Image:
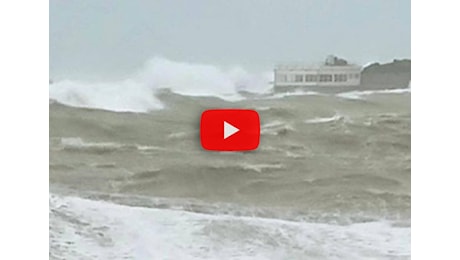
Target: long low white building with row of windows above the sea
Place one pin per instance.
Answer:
(334, 72)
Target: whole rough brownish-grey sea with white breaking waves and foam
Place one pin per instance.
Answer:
(129, 179)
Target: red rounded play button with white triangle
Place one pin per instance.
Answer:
(230, 130)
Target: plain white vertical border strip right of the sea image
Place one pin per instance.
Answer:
(435, 130)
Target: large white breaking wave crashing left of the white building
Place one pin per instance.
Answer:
(137, 94)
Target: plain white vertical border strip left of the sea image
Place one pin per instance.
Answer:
(24, 108)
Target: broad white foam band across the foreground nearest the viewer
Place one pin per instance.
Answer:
(86, 229)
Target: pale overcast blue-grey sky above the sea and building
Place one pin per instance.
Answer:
(113, 38)
